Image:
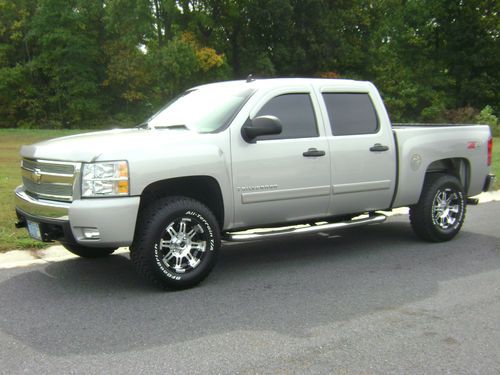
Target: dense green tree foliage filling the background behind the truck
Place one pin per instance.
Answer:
(84, 63)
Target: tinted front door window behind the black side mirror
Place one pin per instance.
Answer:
(296, 114)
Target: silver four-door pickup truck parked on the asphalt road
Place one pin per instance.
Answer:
(226, 158)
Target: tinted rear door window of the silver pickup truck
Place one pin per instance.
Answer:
(351, 113)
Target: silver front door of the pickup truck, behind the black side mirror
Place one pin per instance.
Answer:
(277, 179)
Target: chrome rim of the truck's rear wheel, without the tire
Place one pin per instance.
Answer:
(446, 209)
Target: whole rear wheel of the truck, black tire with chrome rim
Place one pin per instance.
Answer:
(440, 212)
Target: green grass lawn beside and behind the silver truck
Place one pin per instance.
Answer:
(10, 142)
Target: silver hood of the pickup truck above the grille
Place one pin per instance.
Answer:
(106, 145)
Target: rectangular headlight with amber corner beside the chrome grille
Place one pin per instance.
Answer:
(105, 179)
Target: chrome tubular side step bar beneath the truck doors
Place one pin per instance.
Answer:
(252, 236)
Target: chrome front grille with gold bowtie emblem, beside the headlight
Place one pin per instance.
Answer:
(51, 180)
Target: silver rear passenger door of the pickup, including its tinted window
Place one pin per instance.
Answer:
(362, 151)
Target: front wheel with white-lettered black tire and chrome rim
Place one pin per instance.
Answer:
(176, 244)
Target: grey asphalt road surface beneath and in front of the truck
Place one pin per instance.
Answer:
(368, 300)
